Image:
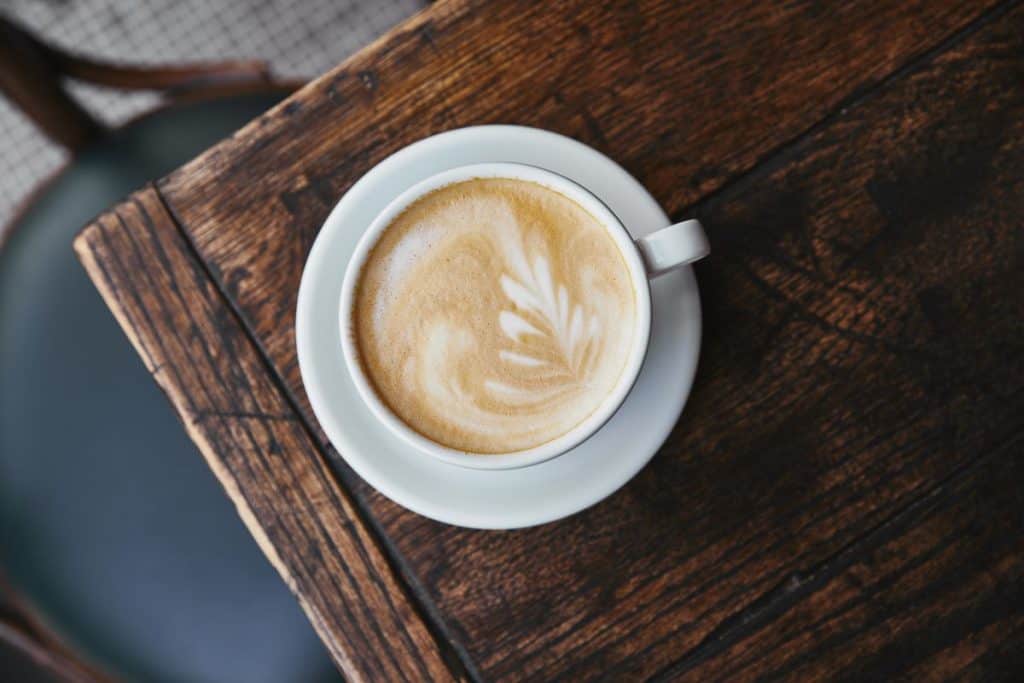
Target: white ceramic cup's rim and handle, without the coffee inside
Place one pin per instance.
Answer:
(648, 258)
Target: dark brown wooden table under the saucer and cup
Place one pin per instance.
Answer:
(842, 498)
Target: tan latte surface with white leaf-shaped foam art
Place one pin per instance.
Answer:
(494, 316)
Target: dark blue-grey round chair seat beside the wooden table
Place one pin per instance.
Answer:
(111, 524)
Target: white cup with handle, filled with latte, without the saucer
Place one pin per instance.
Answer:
(537, 295)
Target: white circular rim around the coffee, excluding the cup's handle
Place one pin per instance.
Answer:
(612, 403)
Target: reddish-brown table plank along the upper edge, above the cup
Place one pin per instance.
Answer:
(686, 96)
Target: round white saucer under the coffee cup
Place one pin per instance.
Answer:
(495, 499)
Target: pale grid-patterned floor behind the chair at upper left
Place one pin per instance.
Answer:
(298, 39)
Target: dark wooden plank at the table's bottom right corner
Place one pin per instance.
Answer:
(938, 596)
